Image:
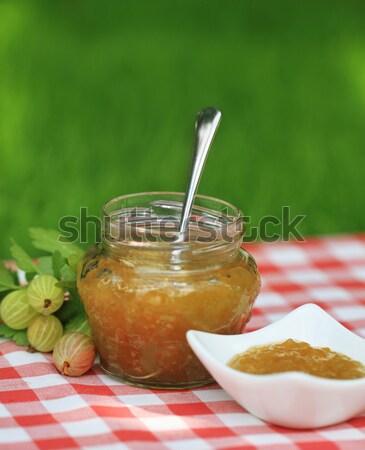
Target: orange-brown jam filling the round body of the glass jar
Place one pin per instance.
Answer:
(139, 313)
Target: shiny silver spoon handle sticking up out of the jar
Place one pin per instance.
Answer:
(206, 124)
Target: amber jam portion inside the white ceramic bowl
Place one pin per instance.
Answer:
(292, 355)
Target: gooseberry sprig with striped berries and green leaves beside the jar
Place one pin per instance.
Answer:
(38, 312)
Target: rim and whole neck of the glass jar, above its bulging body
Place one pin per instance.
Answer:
(143, 229)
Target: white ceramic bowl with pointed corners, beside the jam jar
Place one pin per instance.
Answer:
(289, 399)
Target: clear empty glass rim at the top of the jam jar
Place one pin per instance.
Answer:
(146, 211)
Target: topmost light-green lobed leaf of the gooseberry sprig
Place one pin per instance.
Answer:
(48, 240)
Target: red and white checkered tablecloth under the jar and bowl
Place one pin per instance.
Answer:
(41, 409)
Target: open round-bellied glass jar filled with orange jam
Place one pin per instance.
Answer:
(145, 286)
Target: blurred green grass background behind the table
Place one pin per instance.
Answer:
(98, 99)
